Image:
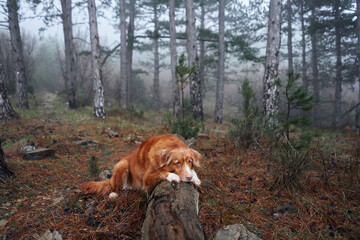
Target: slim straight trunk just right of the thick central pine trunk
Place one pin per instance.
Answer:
(221, 66)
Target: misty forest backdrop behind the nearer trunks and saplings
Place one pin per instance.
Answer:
(319, 40)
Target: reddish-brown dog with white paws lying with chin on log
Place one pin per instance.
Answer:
(159, 158)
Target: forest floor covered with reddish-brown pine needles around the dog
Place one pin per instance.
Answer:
(237, 185)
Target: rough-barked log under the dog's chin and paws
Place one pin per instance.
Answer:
(172, 213)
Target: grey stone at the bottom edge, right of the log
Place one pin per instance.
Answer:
(235, 232)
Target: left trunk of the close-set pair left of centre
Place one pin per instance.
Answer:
(123, 61)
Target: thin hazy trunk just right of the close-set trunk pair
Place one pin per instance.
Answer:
(156, 86)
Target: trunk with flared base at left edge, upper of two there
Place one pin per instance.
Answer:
(7, 113)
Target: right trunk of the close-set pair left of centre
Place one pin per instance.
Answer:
(130, 47)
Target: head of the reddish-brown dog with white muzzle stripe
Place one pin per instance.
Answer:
(179, 161)
